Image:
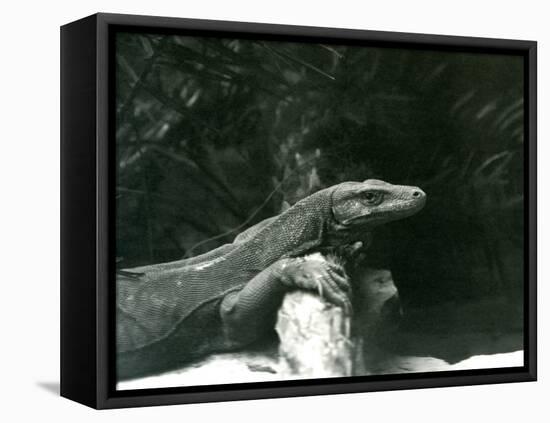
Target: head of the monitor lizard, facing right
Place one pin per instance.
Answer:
(357, 207)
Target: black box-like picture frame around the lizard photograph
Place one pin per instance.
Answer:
(87, 322)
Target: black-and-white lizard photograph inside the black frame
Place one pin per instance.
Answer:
(300, 209)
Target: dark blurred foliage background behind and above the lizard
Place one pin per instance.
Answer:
(214, 134)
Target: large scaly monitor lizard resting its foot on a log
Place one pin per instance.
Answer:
(171, 313)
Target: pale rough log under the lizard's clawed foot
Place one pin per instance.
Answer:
(317, 340)
